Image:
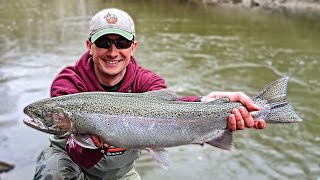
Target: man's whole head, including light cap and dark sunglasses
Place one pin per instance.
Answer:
(109, 29)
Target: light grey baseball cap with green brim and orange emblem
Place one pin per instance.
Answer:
(111, 21)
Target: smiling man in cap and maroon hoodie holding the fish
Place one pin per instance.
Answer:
(109, 66)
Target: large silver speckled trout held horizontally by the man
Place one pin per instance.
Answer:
(151, 120)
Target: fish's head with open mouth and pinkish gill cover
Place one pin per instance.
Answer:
(48, 117)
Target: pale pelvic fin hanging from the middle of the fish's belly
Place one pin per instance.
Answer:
(160, 156)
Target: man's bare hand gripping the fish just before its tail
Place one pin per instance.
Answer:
(240, 117)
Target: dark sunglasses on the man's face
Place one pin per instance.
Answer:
(106, 43)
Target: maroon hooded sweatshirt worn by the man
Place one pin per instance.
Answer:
(81, 78)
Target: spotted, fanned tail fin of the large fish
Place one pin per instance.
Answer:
(273, 98)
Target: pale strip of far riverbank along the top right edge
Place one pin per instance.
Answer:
(302, 7)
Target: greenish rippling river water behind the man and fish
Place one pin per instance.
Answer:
(197, 49)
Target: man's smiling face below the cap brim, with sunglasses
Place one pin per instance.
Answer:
(110, 62)
